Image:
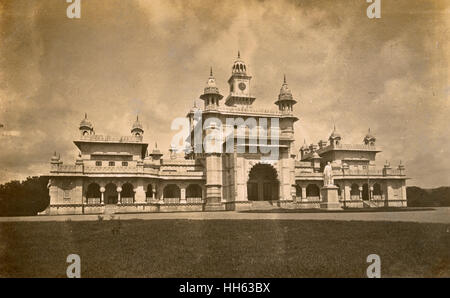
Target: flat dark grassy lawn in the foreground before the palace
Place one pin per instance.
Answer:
(224, 248)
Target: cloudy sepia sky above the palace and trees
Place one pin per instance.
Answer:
(153, 57)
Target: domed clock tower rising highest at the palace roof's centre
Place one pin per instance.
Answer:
(239, 85)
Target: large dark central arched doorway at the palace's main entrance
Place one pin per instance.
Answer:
(262, 183)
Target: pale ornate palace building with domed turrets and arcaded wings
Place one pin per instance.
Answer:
(121, 174)
